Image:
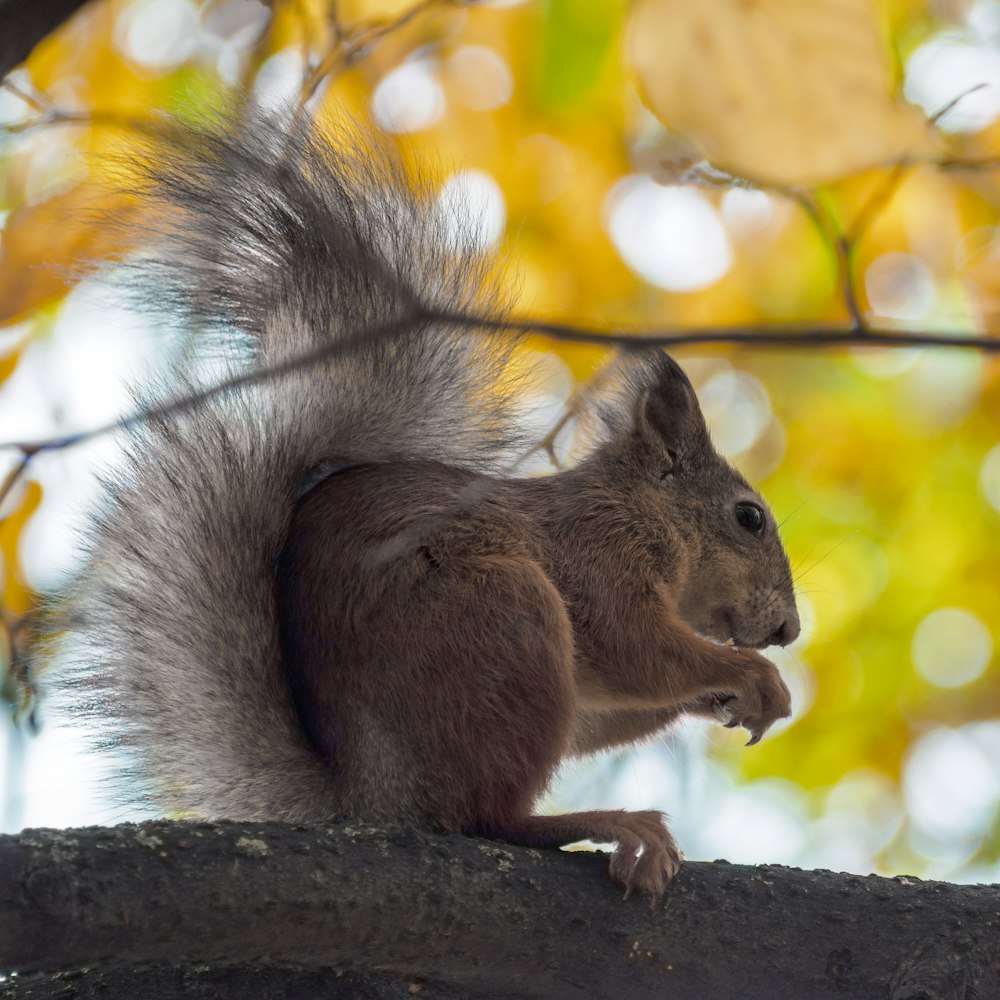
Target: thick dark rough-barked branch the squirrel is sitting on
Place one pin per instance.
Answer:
(233, 909)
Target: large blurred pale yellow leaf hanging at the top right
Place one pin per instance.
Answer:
(778, 91)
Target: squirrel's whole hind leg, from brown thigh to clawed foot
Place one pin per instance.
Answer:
(482, 661)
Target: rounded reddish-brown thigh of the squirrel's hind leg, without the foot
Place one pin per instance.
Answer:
(447, 698)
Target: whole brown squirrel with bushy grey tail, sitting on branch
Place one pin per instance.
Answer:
(319, 596)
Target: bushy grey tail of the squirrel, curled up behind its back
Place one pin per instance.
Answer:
(274, 242)
